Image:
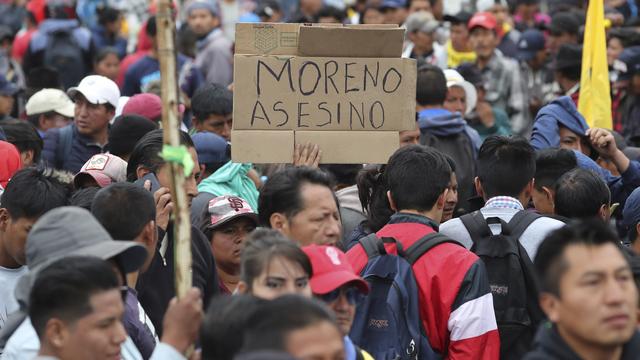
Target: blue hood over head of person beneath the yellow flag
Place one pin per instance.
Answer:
(560, 112)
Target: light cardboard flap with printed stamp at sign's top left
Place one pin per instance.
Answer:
(266, 39)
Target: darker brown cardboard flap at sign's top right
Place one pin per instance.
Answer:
(381, 42)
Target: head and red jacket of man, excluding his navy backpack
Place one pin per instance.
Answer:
(450, 279)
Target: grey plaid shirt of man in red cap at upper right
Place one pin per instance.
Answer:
(504, 89)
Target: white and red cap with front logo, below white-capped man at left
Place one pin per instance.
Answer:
(104, 169)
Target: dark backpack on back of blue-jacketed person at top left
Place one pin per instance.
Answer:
(64, 53)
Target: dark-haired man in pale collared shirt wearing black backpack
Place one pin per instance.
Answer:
(502, 233)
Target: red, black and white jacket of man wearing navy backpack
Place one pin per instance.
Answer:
(456, 306)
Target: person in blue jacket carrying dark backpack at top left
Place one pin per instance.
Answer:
(62, 44)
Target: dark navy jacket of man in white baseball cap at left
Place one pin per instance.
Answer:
(81, 149)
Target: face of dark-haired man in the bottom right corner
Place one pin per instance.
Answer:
(597, 301)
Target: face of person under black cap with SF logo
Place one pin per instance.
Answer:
(227, 242)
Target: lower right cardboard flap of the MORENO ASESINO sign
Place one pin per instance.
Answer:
(352, 147)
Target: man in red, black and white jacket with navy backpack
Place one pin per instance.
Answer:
(454, 301)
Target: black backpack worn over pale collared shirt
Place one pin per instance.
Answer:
(511, 278)
